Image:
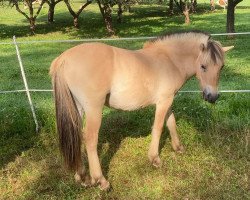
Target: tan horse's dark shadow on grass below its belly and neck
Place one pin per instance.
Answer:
(118, 125)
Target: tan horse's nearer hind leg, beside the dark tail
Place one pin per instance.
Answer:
(93, 114)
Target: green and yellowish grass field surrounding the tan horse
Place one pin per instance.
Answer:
(216, 163)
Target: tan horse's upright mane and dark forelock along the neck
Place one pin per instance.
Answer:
(213, 48)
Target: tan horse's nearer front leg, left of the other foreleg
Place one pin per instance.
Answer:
(161, 110)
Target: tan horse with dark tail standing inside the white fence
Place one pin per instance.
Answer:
(89, 76)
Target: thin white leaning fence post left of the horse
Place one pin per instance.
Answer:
(25, 83)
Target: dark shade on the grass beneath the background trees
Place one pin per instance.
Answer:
(147, 19)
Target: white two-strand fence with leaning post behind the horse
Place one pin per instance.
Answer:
(27, 90)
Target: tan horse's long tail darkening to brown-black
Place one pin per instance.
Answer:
(68, 119)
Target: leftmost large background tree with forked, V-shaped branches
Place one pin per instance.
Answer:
(31, 17)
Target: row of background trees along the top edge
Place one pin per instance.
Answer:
(106, 9)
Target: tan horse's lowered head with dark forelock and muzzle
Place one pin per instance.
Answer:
(209, 65)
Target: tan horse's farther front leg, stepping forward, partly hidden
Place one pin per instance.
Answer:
(175, 141)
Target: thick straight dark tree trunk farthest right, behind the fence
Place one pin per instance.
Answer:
(230, 15)
